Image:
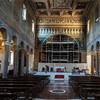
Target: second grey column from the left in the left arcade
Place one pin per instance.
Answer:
(16, 60)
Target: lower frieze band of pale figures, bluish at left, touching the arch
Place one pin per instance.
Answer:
(43, 33)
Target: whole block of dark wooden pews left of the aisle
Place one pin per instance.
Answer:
(26, 87)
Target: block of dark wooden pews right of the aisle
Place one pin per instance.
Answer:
(86, 86)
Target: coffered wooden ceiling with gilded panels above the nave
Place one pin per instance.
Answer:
(61, 7)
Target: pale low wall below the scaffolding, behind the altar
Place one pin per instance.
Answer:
(61, 67)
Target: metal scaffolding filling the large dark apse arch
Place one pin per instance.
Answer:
(60, 49)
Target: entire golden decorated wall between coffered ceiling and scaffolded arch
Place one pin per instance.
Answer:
(73, 27)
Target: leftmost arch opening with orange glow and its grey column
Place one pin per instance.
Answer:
(4, 42)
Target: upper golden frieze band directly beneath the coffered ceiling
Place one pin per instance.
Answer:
(61, 20)
